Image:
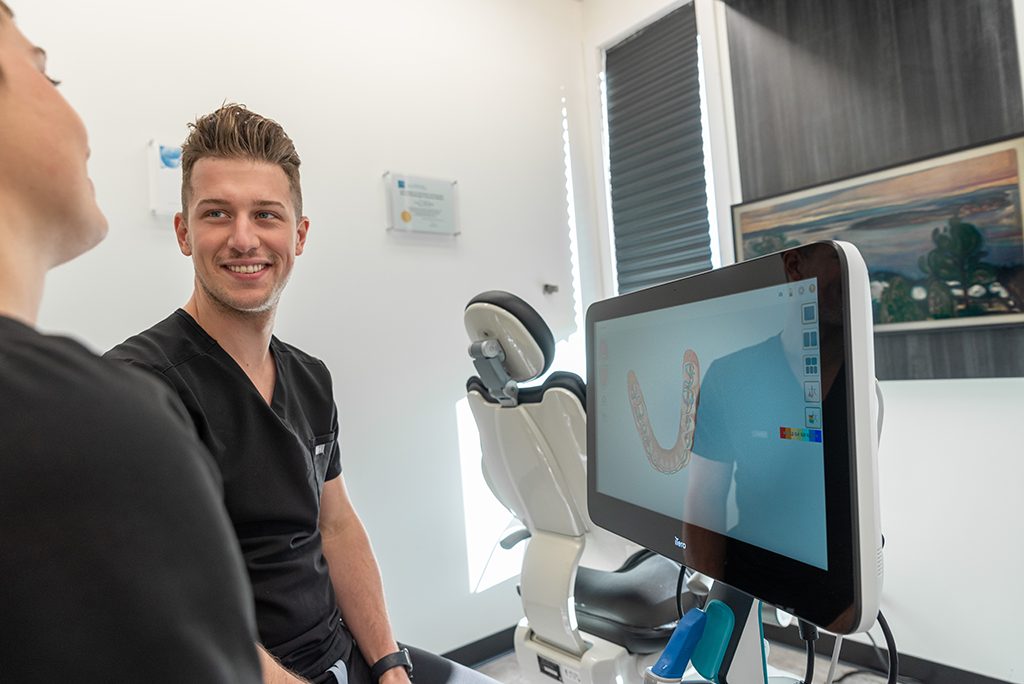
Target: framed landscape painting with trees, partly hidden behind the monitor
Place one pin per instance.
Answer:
(943, 237)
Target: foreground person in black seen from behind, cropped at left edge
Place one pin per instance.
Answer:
(117, 558)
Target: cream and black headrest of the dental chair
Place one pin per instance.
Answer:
(529, 345)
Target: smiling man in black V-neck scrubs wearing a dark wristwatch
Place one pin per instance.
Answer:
(268, 414)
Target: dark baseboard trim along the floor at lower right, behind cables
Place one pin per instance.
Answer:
(863, 656)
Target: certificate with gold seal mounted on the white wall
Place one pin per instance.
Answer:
(421, 205)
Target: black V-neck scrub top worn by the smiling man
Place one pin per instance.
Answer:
(274, 461)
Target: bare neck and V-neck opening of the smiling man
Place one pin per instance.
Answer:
(246, 338)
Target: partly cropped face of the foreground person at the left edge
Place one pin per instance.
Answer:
(44, 152)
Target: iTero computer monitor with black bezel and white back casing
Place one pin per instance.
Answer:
(732, 429)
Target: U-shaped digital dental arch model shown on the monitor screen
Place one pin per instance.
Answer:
(672, 460)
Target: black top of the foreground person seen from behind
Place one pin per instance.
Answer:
(117, 561)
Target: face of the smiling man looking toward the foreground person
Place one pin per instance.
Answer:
(242, 233)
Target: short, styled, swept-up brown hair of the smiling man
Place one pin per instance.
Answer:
(235, 133)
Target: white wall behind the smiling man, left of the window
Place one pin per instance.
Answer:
(457, 90)
